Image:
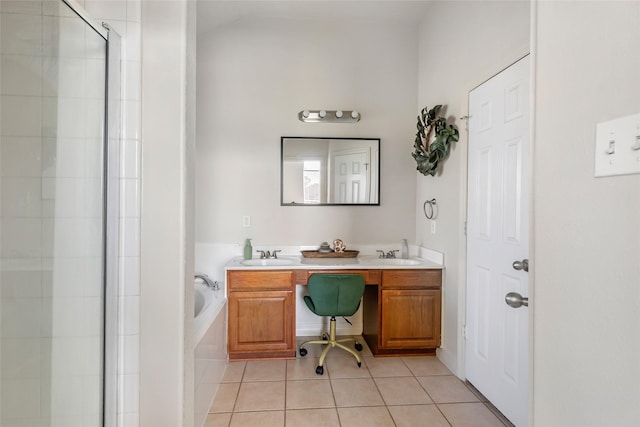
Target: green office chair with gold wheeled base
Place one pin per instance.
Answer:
(334, 295)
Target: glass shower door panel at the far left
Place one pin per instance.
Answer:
(52, 236)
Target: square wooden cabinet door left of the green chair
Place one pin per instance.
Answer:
(261, 321)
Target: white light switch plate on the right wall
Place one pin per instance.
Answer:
(618, 146)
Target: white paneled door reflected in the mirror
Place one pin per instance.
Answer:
(350, 177)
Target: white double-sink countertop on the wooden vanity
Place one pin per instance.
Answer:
(297, 262)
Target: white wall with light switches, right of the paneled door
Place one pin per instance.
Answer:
(587, 235)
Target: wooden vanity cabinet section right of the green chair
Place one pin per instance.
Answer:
(409, 312)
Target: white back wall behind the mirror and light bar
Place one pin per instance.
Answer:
(254, 76)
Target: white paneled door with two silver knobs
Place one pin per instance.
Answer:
(496, 355)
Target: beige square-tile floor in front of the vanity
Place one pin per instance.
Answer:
(390, 391)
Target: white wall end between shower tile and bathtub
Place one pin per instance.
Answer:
(166, 264)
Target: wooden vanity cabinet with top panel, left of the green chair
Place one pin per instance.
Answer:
(261, 314)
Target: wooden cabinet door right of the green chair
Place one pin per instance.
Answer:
(410, 318)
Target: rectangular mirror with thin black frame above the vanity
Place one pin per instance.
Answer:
(329, 171)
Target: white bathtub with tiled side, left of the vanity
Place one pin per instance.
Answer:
(210, 350)
